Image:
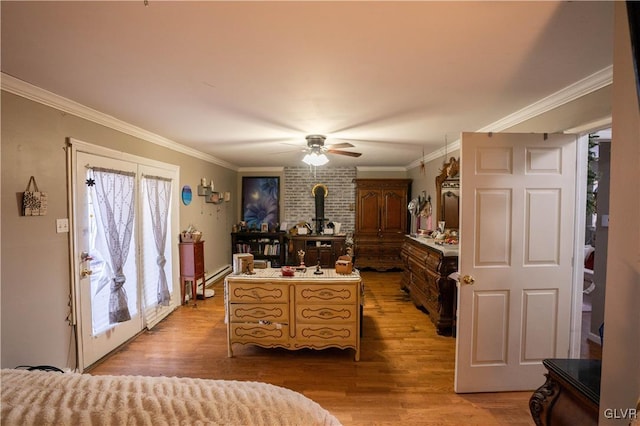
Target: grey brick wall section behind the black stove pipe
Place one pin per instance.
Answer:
(339, 205)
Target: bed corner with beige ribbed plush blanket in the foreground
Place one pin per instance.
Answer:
(52, 398)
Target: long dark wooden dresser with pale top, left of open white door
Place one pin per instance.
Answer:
(426, 277)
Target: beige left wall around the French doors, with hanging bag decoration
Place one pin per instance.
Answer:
(35, 278)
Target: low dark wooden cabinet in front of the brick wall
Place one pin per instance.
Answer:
(318, 248)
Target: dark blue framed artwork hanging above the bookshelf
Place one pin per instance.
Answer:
(260, 201)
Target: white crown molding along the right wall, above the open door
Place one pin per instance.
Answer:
(583, 87)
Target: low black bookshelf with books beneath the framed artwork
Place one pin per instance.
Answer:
(270, 246)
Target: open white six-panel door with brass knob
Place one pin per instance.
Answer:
(516, 247)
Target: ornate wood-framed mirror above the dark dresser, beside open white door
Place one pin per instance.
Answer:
(448, 194)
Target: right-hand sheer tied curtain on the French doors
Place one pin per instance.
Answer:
(159, 196)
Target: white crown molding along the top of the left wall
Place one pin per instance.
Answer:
(26, 90)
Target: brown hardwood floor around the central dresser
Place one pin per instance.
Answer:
(404, 376)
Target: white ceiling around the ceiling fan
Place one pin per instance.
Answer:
(245, 82)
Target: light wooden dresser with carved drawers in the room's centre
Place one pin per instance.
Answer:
(303, 311)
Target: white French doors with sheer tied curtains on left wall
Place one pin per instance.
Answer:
(122, 234)
